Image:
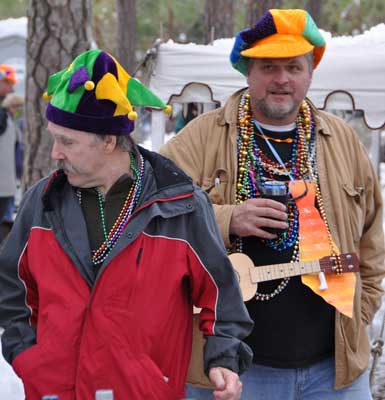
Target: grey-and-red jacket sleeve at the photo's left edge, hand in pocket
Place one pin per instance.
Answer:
(18, 294)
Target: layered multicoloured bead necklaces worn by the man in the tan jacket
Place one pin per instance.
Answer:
(254, 168)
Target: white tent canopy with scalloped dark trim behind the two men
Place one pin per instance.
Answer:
(351, 75)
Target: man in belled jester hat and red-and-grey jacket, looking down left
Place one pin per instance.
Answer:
(109, 254)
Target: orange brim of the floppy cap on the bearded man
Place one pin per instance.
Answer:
(281, 45)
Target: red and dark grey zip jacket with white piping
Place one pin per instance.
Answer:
(130, 327)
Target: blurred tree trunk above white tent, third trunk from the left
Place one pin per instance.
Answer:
(219, 19)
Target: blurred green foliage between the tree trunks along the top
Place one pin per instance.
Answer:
(183, 21)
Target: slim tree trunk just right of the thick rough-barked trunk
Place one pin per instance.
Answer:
(126, 27)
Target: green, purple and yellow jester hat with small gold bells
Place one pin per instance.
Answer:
(95, 94)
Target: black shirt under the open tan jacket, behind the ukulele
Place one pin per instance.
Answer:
(296, 328)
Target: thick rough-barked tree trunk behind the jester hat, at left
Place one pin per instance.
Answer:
(58, 31)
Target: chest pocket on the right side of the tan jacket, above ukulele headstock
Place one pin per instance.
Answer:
(355, 196)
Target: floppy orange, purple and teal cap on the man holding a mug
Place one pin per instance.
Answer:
(278, 34)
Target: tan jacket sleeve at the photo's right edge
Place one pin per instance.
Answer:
(372, 251)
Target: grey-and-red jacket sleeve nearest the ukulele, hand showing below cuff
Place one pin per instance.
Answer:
(224, 320)
